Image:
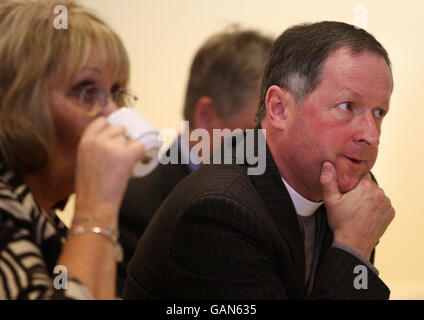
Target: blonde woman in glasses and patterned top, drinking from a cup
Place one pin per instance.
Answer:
(57, 86)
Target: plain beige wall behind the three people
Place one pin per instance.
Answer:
(162, 36)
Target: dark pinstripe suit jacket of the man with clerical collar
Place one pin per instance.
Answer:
(222, 234)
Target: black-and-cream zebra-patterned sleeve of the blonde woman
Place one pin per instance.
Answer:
(23, 271)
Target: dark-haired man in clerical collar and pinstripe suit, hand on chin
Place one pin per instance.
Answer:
(307, 227)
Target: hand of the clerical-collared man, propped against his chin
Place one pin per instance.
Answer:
(358, 218)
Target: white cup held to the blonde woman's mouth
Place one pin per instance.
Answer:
(138, 129)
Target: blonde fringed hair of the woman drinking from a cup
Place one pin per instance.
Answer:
(33, 54)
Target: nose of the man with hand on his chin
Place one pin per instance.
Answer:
(367, 130)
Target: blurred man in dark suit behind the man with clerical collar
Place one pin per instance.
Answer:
(222, 92)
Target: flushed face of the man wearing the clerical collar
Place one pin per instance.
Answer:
(340, 121)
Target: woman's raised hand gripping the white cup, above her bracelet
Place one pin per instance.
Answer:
(105, 159)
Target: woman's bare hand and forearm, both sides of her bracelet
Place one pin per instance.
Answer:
(105, 158)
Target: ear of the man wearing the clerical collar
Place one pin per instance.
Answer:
(276, 101)
